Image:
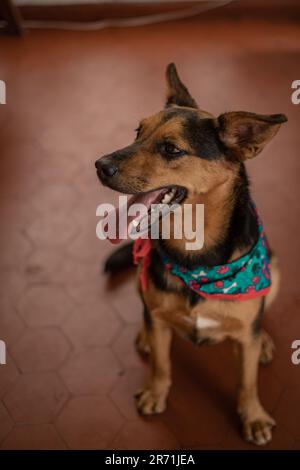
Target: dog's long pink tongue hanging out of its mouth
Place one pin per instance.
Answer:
(121, 214)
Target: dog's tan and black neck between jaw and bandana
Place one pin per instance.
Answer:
(230, 226)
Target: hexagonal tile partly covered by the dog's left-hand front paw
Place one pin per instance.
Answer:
(125, 388)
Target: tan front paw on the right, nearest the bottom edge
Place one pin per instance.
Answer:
(259, 430)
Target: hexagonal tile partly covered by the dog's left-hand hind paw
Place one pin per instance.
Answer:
(124, 347)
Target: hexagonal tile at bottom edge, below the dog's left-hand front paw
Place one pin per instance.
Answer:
(145, 434)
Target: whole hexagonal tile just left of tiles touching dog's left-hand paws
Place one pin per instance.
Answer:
(91, 372)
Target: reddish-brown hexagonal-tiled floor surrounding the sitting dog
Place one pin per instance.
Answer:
(72, 369)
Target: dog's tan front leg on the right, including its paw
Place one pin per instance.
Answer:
(257, 423)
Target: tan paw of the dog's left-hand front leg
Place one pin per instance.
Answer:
(149, 402)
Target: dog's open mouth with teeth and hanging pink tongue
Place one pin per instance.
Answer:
(157, 204)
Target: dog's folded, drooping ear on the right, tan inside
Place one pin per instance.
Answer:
(244, 135)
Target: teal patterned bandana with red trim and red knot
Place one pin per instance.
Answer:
(244, 278)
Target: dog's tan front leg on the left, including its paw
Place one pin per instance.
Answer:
(152, 398)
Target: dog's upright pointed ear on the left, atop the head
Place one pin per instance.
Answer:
(177, 93)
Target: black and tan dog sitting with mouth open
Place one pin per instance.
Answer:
(195, 157)
